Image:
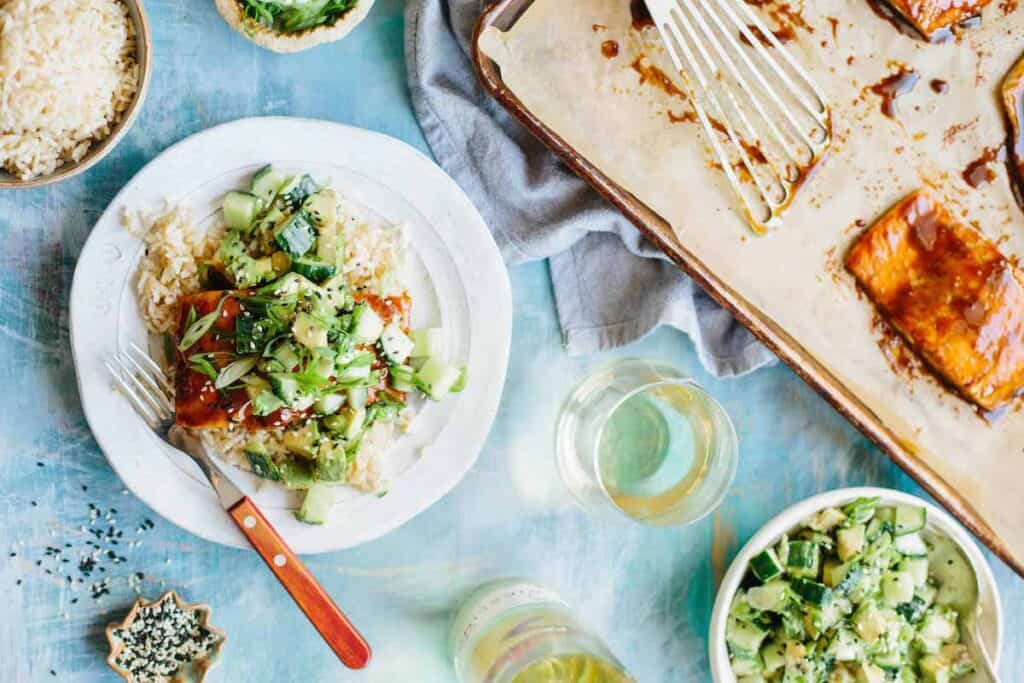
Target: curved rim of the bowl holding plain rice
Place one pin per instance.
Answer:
(99, 152)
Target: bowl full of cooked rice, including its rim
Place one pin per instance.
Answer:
(73, 77)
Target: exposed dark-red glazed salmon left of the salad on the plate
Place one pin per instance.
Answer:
(198, 404)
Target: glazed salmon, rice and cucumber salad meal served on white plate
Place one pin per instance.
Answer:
(288, 332)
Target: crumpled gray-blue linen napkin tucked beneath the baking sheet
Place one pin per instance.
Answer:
(612, 286)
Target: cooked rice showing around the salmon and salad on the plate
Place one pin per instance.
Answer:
(170, 269)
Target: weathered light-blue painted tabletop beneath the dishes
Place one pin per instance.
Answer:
(650, 592)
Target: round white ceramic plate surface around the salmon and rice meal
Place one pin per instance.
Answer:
(456, 277)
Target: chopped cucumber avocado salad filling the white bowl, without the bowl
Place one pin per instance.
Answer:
(854, 596)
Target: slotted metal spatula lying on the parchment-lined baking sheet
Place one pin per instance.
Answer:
(766, 120)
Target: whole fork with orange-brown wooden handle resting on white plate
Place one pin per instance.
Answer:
(148, 390)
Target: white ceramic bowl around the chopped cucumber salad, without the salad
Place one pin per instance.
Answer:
(938, 521)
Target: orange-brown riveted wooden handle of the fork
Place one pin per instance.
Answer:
(347, 643)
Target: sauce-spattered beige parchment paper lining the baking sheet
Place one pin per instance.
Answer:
(794, 277)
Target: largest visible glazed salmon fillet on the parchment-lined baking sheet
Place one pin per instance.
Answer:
(950, 292)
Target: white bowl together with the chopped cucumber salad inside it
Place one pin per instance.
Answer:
(857, 586)
